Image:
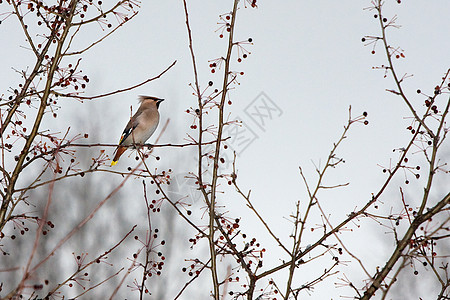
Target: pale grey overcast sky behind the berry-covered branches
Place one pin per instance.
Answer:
(308, 65)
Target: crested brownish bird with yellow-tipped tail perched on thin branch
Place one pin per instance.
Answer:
(140, 127)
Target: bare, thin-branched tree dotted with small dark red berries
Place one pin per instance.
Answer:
(236, 263)
